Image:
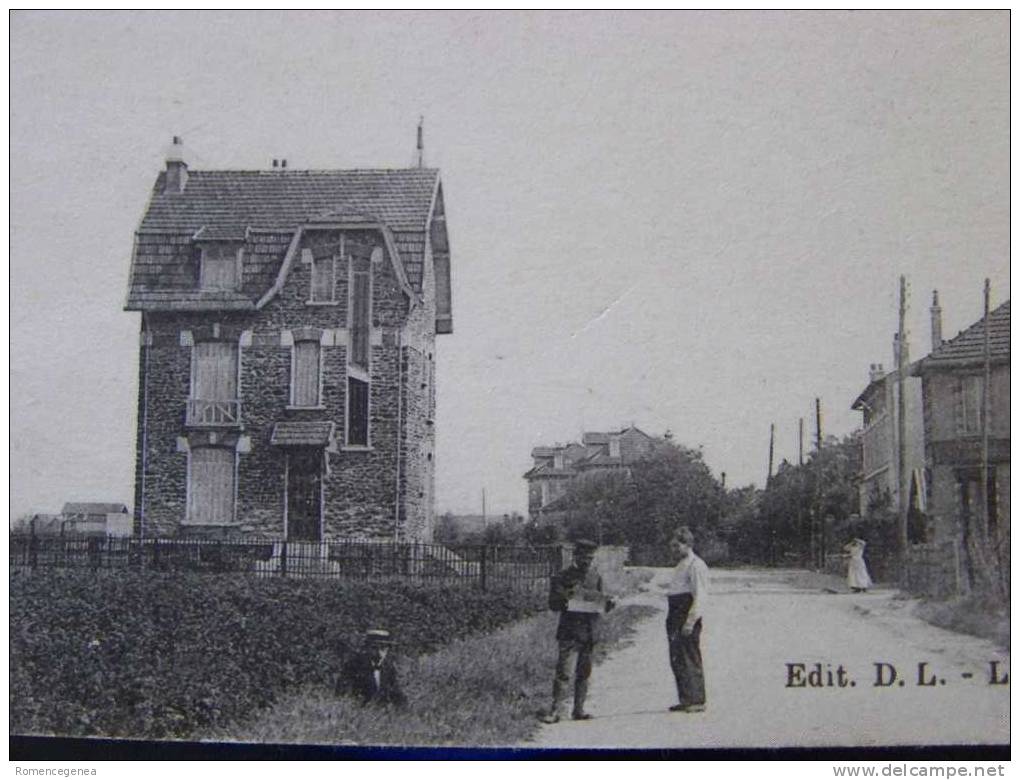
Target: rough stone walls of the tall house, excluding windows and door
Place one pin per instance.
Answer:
(361, 487)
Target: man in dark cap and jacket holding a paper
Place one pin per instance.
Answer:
(578, 595)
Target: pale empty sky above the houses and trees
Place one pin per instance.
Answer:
(693, 222)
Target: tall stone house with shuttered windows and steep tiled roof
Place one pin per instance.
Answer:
(287, 384)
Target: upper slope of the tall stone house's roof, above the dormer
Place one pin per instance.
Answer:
(233, 200)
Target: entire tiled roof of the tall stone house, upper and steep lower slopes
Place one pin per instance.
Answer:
(263, 210)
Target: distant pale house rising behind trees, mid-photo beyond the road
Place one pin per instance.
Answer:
(557, 466)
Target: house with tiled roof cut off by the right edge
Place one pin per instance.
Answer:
(953, 382)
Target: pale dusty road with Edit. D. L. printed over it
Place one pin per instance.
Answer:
(757, 623)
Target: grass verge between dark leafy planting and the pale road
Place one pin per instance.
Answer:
(483, 691)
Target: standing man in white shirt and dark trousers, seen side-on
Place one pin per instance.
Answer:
(687, 593)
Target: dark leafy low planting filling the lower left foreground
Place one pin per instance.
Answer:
(144, 655)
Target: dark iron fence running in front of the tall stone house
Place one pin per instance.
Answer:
(484, 567)
